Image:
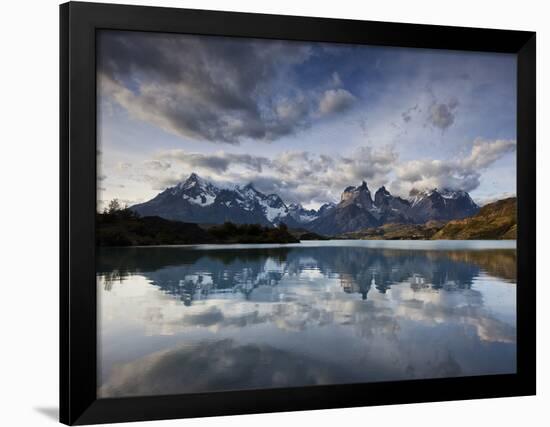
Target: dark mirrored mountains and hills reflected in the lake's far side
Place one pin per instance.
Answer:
(194, 274)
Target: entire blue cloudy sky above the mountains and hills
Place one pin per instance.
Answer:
(304, 120)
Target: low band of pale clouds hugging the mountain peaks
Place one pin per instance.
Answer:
(312, 179)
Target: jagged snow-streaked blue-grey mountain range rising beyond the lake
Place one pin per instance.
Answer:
(200, 201)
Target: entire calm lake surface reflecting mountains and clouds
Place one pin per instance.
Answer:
(223, 317)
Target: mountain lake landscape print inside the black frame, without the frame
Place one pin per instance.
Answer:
(284, 214)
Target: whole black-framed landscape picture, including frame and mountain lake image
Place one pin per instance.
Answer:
(268, 213)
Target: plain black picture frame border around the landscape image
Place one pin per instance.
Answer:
(78, 25)
